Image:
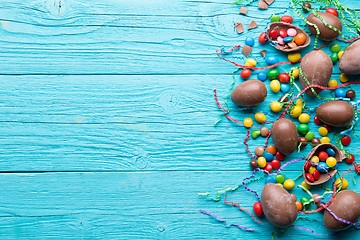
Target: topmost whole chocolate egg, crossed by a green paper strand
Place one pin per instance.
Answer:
(326, 33)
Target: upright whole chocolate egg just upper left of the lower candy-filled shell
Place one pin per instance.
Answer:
(284, 135)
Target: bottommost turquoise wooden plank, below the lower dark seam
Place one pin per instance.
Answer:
(129, 205)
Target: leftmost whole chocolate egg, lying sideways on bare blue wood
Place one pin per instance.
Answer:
(249, 93)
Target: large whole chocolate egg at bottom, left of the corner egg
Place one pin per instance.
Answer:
(278, 205)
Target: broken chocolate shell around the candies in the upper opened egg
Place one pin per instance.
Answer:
(281, 25)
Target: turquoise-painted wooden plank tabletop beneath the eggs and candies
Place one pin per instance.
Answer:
(107, 120)
